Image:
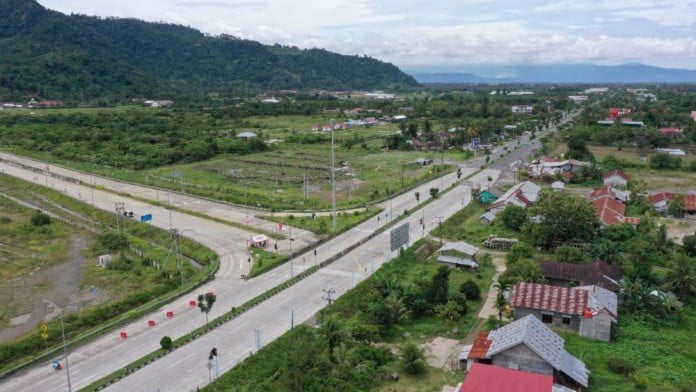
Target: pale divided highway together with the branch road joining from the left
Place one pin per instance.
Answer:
(186, 369)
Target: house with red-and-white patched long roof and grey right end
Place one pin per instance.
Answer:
(589, 310)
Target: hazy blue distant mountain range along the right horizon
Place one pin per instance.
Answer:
(550, 73)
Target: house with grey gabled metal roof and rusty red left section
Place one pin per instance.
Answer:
(530, 346)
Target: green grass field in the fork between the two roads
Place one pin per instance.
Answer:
(280, 179)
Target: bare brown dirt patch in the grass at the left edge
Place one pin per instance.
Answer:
(58, 283)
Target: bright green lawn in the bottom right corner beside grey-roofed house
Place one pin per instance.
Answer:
(663, 353)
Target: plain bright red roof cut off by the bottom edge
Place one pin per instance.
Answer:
(487, 378)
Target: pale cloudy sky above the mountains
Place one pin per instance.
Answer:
(442, 32)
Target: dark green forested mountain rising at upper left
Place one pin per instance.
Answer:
(54, 56)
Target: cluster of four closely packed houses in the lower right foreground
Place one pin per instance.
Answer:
(527, 355)
